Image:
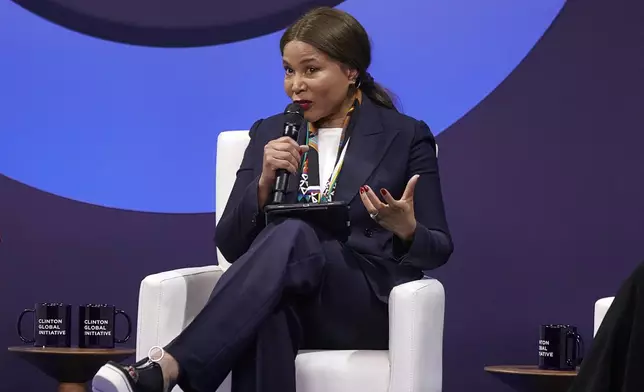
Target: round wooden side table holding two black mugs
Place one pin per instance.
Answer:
(72, 367)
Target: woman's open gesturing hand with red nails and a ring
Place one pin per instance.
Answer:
(394, 215)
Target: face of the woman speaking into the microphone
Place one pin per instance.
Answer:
(319, 84)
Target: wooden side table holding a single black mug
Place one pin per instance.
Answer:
(527, 378)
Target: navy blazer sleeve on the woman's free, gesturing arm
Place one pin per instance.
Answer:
(431, 245)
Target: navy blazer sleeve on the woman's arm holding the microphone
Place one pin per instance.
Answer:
(240, 222)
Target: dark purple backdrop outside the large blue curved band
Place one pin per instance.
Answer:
(542, 181)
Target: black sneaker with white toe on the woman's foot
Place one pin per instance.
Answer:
(143, 376)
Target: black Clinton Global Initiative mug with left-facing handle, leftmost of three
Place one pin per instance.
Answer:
(52, 325)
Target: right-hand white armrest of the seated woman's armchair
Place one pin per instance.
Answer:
(416, 317)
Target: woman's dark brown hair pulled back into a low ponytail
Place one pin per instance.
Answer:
(341, 37)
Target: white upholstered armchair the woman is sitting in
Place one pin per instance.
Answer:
(169, 301)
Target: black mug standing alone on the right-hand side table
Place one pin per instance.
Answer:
(560, 347)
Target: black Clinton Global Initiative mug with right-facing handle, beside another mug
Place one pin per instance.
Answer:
(96, 326)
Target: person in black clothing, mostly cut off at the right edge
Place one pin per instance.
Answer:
(615, 362)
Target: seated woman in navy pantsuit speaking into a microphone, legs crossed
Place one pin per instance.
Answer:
(291, 285)
